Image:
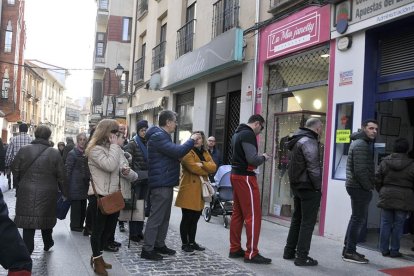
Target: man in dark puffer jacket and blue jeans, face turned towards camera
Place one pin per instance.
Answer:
(360, 179)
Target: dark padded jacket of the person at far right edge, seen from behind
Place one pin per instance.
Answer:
(394, 180)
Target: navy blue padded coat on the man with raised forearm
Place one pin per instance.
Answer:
(164, 158)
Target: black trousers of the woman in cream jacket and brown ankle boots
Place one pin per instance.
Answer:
(102, 228)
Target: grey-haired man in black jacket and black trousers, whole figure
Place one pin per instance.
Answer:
(305, 174)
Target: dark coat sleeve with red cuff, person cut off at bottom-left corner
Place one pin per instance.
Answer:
(13, 252)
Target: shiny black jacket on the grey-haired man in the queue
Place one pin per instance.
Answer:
(304, 170)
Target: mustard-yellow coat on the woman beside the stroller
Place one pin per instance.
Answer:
(189, 193)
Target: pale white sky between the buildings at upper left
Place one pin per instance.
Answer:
(62, 33)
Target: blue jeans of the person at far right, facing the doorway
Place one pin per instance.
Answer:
(392, 225)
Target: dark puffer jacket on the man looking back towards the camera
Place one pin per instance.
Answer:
(360, 168)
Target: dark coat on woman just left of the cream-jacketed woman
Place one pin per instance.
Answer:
(77, 173)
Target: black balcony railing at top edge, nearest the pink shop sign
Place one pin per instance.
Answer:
(225, 16)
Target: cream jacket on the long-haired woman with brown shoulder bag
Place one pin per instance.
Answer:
(103, 164)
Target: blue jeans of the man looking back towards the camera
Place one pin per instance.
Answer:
(360, 200)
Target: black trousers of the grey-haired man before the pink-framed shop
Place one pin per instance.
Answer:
(303, 222)
